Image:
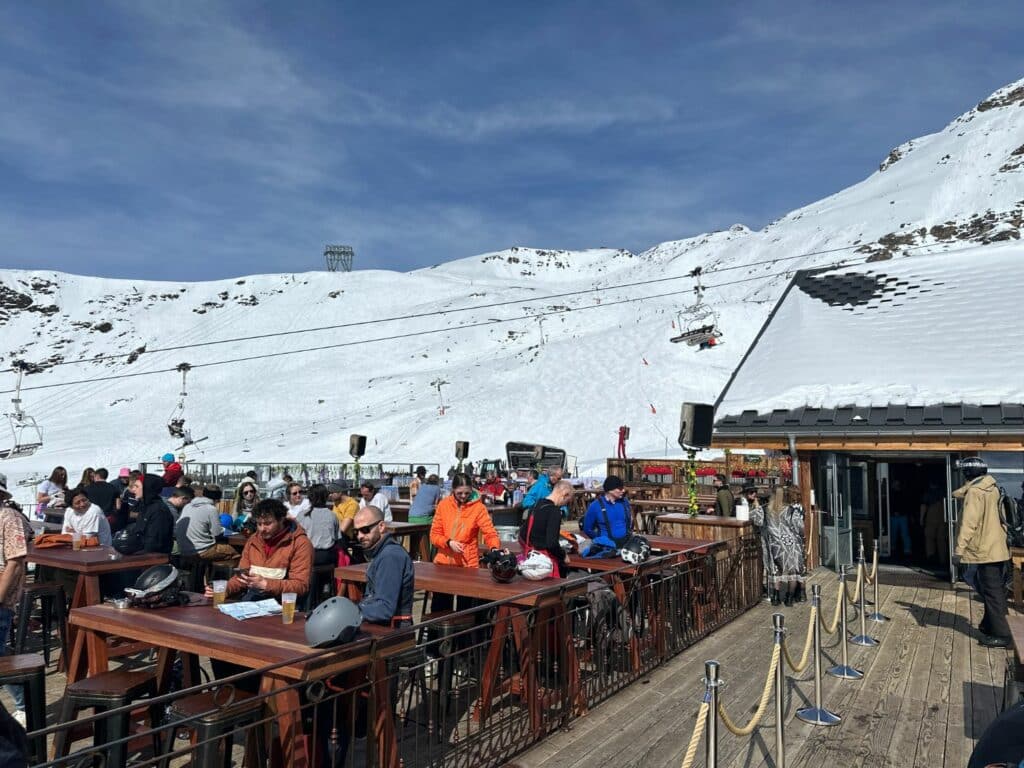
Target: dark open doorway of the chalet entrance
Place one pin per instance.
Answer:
(913, 517)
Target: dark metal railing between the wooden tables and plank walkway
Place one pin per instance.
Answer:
(471, 688)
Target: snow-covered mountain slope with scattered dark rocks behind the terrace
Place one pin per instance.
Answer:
(569, 379)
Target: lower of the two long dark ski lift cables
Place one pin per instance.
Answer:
(414, 334)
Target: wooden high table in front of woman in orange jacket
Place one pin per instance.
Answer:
(519, 598)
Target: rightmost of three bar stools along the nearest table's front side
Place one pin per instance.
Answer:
(214, 719)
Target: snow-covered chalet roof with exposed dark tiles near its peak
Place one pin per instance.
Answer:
(910, 332)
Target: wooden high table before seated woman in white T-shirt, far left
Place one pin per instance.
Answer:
(91, 564)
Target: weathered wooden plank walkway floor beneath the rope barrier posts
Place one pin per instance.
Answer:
(928, 694)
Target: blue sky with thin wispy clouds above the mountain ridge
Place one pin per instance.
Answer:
(193, 141)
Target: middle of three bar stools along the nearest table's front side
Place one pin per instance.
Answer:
(106, 692)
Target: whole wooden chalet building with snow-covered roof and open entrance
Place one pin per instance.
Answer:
(876, 379)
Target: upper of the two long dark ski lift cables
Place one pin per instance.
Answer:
(441, 313)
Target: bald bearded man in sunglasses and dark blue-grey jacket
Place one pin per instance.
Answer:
(388, 599)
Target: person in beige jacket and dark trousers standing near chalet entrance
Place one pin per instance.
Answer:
(982, 544)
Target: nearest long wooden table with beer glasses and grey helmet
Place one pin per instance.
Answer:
(201, 631)
